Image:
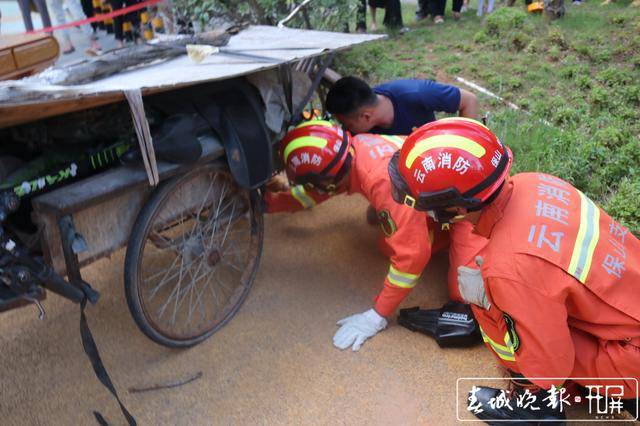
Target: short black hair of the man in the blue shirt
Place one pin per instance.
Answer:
(348, 95)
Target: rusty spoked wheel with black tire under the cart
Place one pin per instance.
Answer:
(192, 256)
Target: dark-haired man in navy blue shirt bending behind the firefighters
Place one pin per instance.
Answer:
(396, 107)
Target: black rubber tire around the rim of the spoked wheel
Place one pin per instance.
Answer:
(134, 247)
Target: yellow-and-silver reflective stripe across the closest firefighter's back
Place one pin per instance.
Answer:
(588, 236)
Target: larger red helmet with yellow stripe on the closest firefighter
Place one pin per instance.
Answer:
(446, 163)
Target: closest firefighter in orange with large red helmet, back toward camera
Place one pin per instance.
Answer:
(558, 292)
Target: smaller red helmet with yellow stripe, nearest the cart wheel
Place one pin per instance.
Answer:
(316, 152)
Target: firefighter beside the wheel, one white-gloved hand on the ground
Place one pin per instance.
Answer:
(323, 160)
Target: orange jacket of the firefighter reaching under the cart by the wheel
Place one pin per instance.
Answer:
(406, 230)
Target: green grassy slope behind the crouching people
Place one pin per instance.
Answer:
(581, 74)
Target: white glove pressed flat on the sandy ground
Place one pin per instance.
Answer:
(357, 328)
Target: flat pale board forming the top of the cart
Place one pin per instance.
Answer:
(33, 100)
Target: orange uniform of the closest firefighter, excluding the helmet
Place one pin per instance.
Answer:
(563, 279)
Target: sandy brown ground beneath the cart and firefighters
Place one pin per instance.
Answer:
(274, 363)
